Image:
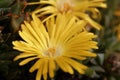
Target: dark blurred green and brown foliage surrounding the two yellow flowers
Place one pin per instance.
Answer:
(106, 66)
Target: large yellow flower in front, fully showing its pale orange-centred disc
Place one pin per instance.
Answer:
(55, 44)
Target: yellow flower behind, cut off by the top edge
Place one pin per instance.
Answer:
(78, 8)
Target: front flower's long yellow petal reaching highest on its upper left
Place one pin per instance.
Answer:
(40, 31)
